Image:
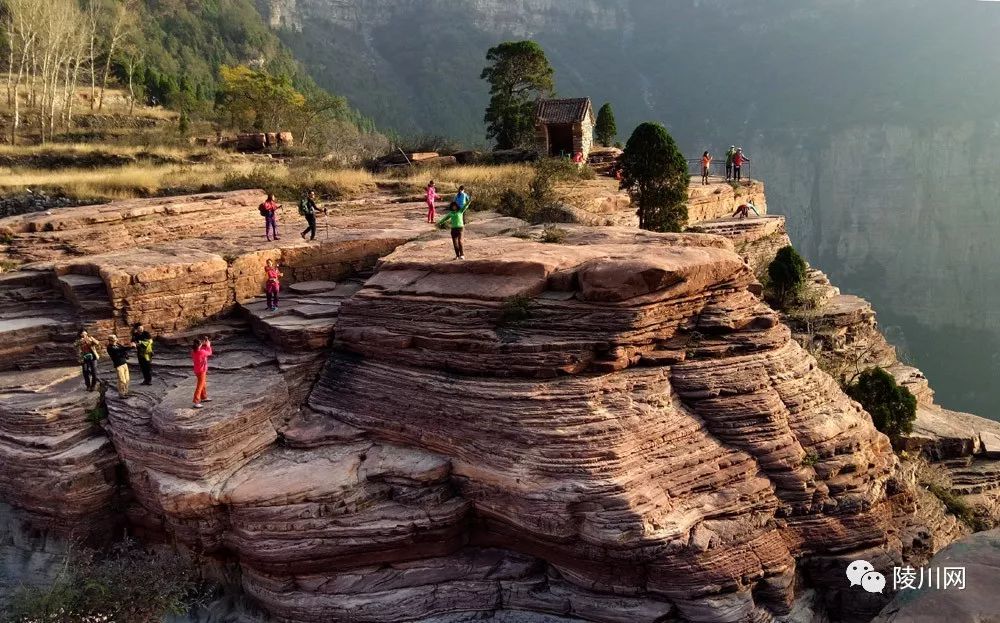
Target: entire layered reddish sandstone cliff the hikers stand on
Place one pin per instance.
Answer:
(609, 428)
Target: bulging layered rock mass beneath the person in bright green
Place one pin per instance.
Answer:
(629, 414)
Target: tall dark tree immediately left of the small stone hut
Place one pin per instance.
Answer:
(519, 73)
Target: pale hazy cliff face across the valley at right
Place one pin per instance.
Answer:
(907, 218)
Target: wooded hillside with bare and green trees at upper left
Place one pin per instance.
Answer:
(62, 55)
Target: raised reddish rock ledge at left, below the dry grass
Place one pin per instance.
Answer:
(172, 263)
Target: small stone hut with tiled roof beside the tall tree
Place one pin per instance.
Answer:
(564, 127)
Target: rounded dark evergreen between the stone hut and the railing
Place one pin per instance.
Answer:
(655, 174)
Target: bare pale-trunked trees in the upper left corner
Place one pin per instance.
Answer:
(54, 46)
